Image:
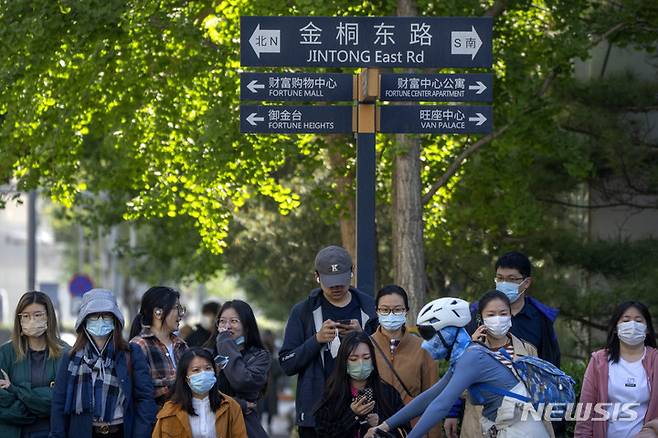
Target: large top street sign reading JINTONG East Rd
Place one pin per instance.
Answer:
(366, 41)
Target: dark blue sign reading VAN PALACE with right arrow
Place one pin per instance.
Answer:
(435, 119)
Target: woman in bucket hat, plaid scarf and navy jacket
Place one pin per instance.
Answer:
(102, 389)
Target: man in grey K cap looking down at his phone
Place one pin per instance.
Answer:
(313, 333)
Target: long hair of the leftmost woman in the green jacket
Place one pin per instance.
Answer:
(19, 341)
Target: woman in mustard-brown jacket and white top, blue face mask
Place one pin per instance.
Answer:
(197, 409)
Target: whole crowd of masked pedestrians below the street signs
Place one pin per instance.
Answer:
(361, 371)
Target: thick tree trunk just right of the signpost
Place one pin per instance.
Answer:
(407, 212)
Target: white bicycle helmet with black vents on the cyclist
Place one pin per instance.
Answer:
(441, 313)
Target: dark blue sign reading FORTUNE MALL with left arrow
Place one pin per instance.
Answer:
(296, 86)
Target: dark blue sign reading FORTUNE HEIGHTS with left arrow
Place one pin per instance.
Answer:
(295, 119)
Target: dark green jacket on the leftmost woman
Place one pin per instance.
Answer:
(20, 404)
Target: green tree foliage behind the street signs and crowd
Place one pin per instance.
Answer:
(127, 110)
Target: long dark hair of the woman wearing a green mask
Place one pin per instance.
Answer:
(338, 393)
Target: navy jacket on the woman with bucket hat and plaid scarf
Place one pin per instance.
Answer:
(139, 409)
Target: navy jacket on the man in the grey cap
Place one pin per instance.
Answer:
(301, 353)
